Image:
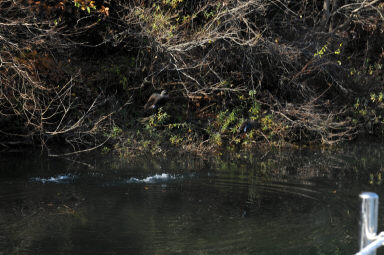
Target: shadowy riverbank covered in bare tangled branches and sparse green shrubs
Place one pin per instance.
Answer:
(303, 73)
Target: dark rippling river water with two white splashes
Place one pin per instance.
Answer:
(283, 202)
